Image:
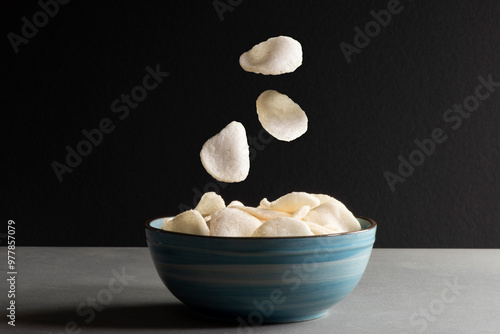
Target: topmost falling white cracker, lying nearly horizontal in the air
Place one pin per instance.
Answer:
(277, 55)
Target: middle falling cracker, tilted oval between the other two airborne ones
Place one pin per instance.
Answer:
(280, 116)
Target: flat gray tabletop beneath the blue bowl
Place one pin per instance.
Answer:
(402, 291)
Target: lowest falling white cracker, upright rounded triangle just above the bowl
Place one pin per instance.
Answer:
(226, 155)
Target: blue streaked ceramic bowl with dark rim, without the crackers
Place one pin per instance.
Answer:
(256, 280)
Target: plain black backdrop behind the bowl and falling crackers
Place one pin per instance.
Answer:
(362, 115)
